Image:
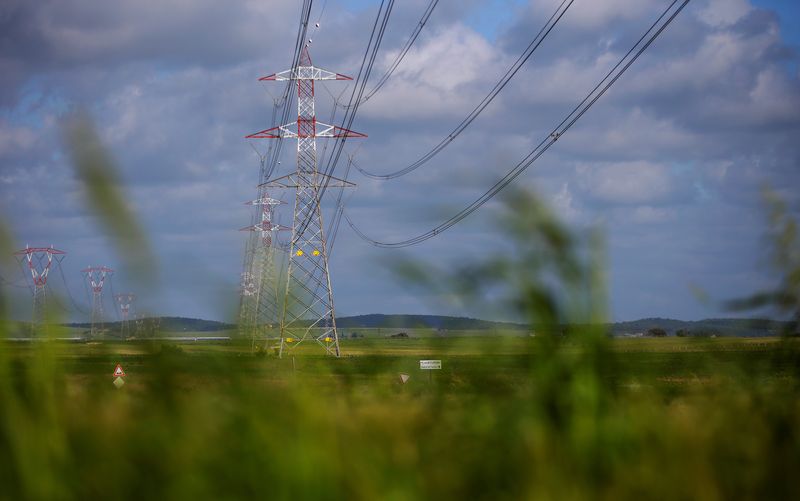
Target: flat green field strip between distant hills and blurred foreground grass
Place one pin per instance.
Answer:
(467, 362)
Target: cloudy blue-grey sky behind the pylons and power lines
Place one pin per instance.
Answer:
(670, 164)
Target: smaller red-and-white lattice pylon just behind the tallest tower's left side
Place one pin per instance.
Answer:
(260, 307)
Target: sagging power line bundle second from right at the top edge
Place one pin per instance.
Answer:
(498, 87)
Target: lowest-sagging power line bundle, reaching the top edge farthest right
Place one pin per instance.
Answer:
(545, 144)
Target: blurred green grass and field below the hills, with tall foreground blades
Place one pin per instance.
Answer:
(568, 414)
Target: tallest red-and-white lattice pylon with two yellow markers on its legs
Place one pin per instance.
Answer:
(308, 311)
